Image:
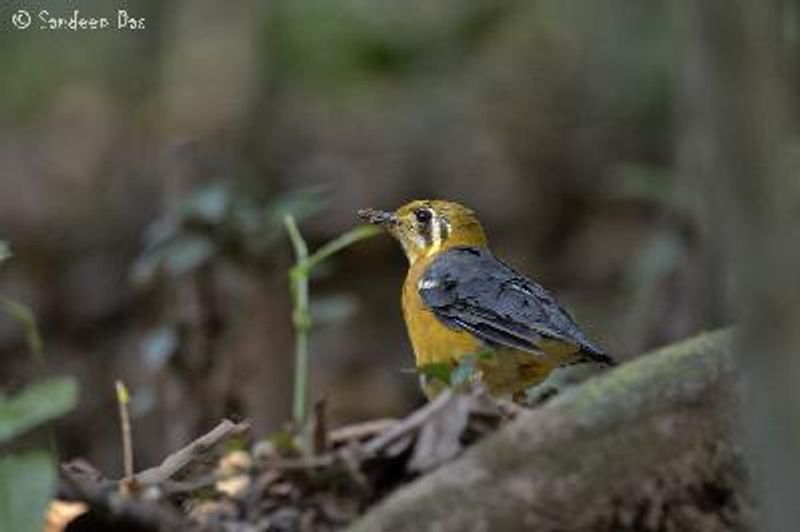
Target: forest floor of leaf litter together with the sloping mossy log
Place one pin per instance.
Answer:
(651, 445)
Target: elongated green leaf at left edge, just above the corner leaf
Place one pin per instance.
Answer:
(36, 404)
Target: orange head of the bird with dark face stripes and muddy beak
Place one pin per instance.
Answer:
(426, 227)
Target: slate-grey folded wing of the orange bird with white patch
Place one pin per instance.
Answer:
(468, 288)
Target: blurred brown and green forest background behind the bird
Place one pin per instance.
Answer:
(144, 176)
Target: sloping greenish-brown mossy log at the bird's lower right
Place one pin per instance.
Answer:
(650, 445)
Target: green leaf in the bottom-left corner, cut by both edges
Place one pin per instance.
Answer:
(27, 482)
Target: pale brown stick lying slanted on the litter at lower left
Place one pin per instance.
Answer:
(196, 450)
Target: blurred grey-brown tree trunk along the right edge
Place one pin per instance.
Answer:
(741, 146)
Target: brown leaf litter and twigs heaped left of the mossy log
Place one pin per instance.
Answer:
(225, 481)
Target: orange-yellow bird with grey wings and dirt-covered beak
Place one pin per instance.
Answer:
(460, 302)
